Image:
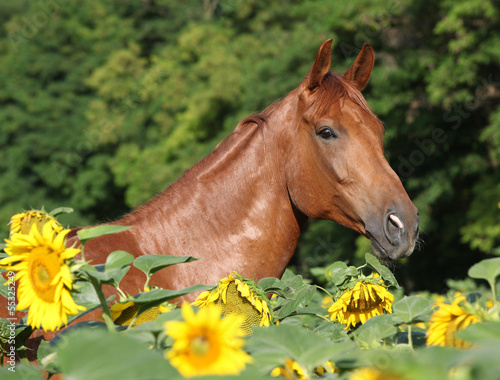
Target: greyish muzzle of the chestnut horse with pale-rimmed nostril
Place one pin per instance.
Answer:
(396, 236)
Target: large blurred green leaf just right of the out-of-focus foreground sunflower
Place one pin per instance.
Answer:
(272, 345)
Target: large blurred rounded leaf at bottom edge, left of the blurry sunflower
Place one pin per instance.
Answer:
(101, 355)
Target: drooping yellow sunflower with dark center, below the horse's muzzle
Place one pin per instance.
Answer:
(361, 303)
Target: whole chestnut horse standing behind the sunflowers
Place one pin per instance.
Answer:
(317, 153)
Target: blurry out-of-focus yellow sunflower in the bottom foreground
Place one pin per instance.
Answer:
(205, 344)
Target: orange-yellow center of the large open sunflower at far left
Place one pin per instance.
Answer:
(43, 267)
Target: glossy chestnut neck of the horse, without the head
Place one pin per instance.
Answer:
(236, 199)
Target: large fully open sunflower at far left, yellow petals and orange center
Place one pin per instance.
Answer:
(40, 263)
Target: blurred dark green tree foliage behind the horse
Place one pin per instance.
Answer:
(105, 103)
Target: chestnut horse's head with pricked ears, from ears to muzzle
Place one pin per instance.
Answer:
(335, 164)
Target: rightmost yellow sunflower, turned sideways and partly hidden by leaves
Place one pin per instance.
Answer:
(446, 321)
